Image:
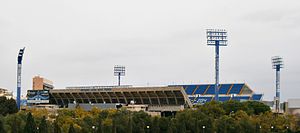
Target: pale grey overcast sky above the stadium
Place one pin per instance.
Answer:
(161, 42)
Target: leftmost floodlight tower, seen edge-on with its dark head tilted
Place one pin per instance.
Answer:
(19, 70)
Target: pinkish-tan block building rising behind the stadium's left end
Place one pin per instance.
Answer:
(40, 83)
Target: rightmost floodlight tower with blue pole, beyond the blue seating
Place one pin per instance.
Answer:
(277, 64)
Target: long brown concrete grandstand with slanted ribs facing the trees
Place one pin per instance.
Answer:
(155, 98)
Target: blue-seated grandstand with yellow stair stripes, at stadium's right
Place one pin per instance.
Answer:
(202, 93)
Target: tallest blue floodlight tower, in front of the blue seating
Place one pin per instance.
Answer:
(217, 38)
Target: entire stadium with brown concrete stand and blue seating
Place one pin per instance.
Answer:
(170, 98)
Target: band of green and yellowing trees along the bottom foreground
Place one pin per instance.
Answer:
(226, 117)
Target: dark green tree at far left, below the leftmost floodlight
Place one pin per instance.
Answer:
(7, 106)
